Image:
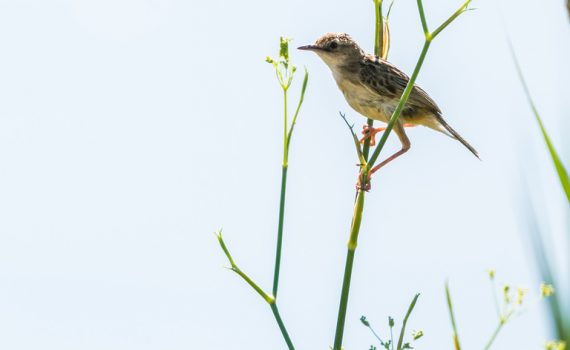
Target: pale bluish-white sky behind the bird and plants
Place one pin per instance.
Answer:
(131, 130)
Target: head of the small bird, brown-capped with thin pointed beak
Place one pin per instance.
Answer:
(336, 49)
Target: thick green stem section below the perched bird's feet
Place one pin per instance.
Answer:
(352, 243)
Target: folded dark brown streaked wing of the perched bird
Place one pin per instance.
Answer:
(387, 80)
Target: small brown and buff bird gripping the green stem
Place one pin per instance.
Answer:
(373, 86)
